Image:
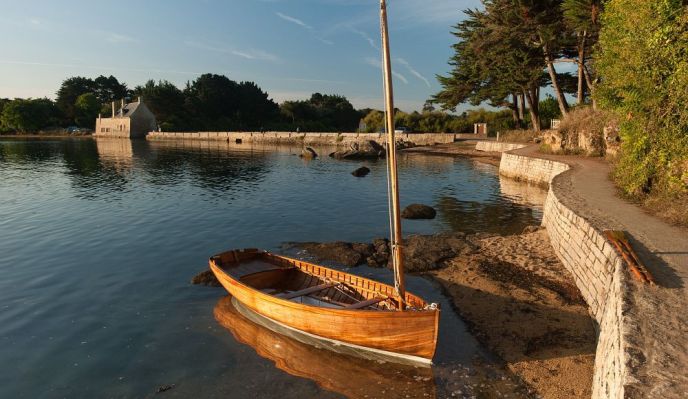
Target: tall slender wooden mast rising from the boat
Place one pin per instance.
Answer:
(397, 255)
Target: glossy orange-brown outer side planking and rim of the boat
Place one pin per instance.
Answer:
(411, 333)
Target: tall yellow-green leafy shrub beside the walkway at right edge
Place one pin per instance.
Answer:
(643, 67)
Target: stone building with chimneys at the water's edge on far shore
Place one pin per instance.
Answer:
(133, 120)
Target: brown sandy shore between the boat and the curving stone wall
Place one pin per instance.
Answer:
(522, 304)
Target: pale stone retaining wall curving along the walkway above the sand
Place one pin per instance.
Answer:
(598, 270)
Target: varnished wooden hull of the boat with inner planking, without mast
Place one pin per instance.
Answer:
(411, 333)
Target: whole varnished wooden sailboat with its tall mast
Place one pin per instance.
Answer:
(333, 305)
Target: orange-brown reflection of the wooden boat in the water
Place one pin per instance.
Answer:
(342, 373)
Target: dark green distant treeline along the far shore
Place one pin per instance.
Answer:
(217, 103)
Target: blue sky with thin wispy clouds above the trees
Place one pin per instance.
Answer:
(290, 48)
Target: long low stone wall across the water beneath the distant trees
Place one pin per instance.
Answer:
(311, 139)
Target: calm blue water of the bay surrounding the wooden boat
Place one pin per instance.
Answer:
(98, 241)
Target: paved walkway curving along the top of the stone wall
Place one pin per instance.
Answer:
(661, 310)
